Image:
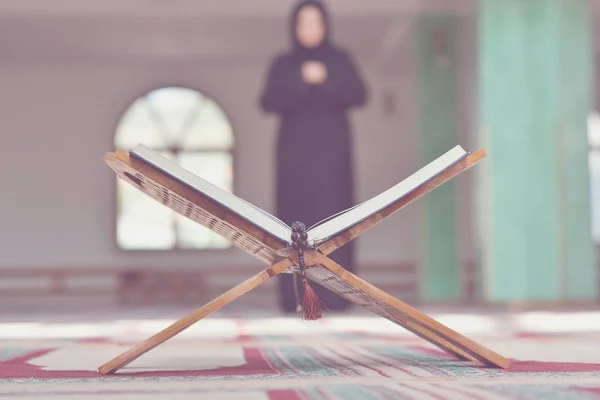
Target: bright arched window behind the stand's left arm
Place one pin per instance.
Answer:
(190, 129)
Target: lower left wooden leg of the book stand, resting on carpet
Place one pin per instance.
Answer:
(187, 321)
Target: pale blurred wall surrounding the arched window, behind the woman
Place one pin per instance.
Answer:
(57, 209)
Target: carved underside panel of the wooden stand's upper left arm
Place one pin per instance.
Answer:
(190, 210)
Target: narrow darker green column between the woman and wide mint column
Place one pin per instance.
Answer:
(436, 44)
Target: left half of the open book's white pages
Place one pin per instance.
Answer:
(240, 207)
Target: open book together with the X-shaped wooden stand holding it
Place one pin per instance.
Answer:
(287, 249)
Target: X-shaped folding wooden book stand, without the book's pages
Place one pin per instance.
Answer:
(322, 269)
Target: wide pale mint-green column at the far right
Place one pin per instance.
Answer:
(535, 63)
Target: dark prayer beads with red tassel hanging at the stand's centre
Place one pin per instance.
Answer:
(311, 304)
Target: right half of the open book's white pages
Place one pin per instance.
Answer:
(345, 220)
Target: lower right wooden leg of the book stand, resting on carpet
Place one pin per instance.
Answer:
(407, 316)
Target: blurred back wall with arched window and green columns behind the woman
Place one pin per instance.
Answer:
(79, 78)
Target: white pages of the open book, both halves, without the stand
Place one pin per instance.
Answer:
(318, 233)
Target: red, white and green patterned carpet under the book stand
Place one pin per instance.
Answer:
(555, 356)
